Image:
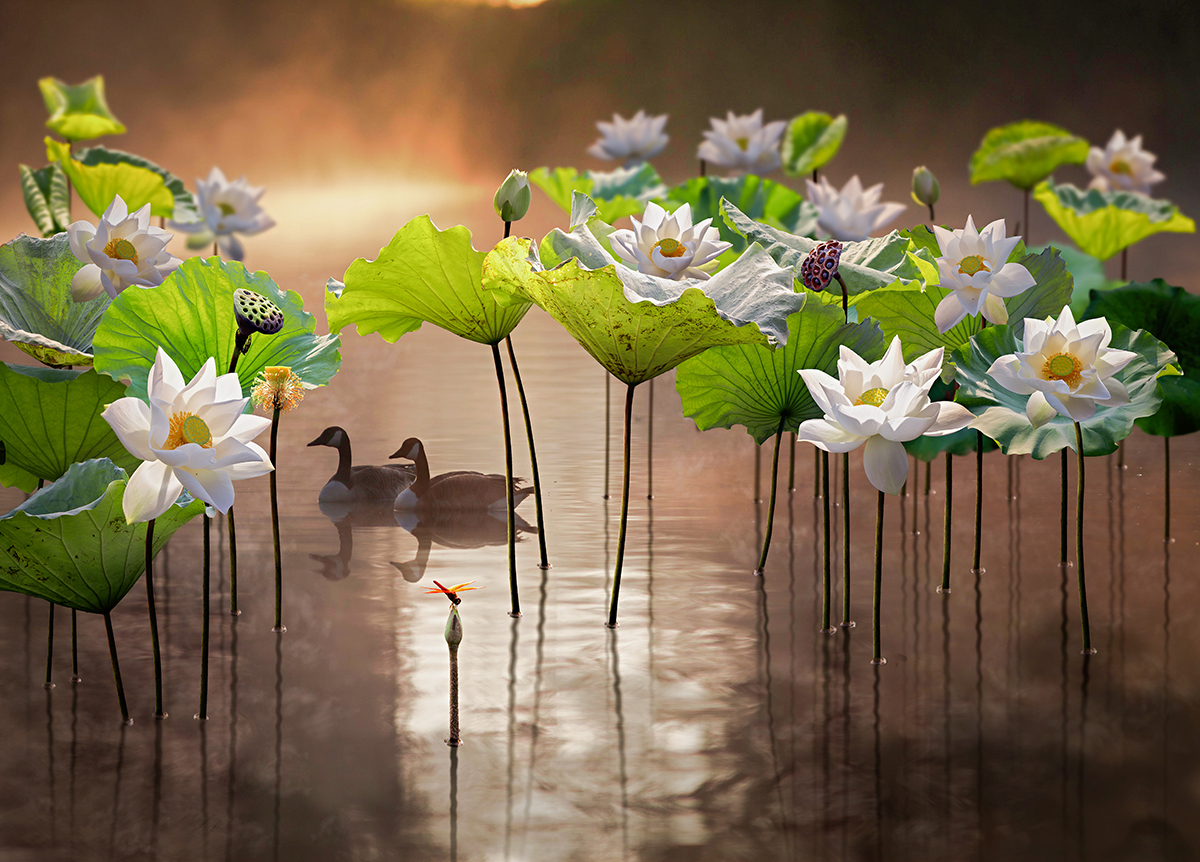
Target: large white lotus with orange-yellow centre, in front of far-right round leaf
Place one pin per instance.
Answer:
(1066, 369)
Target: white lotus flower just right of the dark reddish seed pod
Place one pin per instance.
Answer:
(974, 267)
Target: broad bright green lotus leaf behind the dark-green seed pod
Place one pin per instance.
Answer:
(191, 318)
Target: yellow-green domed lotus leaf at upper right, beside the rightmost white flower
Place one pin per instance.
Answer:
(1025, 153)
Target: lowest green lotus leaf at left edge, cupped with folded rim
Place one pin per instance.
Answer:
(70, 544)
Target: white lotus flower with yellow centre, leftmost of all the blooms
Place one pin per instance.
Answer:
(123, 250)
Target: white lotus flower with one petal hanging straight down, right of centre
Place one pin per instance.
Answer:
(883, 405)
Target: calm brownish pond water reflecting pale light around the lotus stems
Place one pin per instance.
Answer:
(716, 723)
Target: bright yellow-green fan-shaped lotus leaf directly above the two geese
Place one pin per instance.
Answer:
(423, 276)
